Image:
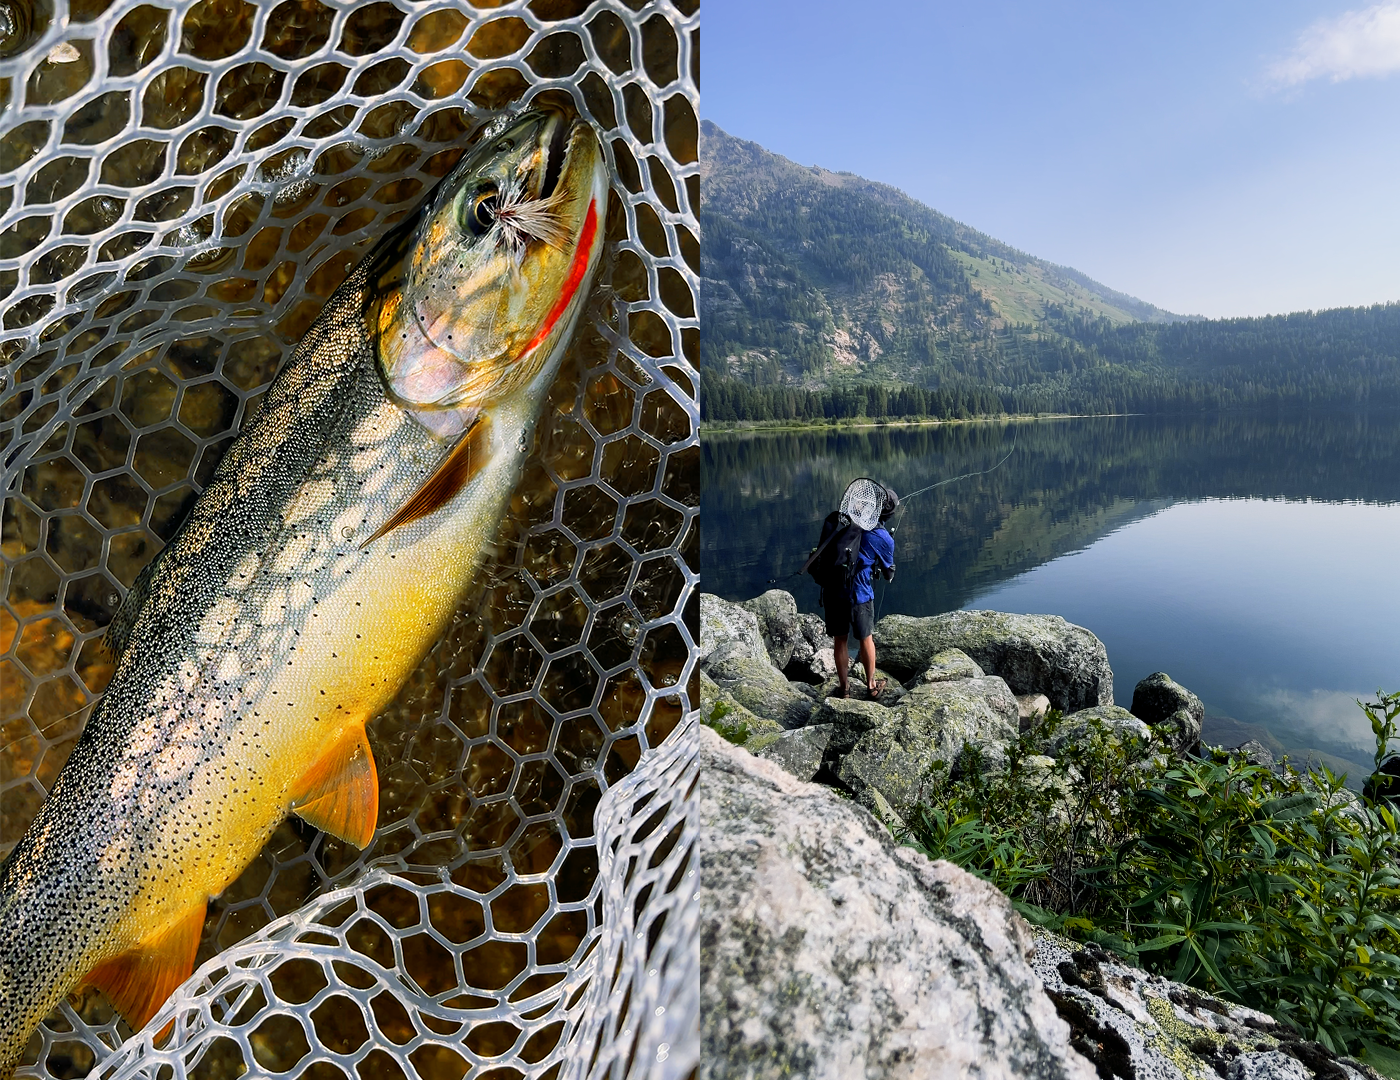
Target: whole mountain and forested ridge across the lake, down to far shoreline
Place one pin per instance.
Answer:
(829, 295)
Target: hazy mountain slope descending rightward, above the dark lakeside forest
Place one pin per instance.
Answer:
(835, 275)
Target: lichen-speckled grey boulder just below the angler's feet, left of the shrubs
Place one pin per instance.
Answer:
(894, 752)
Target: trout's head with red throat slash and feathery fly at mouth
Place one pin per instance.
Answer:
(495, 271)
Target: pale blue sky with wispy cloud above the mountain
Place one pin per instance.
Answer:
(1217, 159)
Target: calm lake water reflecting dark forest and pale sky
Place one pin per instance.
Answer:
(1256, 560)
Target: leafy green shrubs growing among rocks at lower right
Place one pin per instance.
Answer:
(1279, 890)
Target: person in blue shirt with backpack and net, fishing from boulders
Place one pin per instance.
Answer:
(855, 550)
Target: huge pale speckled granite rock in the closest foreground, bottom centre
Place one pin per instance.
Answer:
(829, 953)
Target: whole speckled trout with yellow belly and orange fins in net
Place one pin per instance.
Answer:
(324, 560)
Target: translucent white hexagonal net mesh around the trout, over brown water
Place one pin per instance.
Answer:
(183, 186)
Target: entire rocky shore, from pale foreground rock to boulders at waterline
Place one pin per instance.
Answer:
(850, 956)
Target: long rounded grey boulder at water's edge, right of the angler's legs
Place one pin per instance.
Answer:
(1032, 653)
